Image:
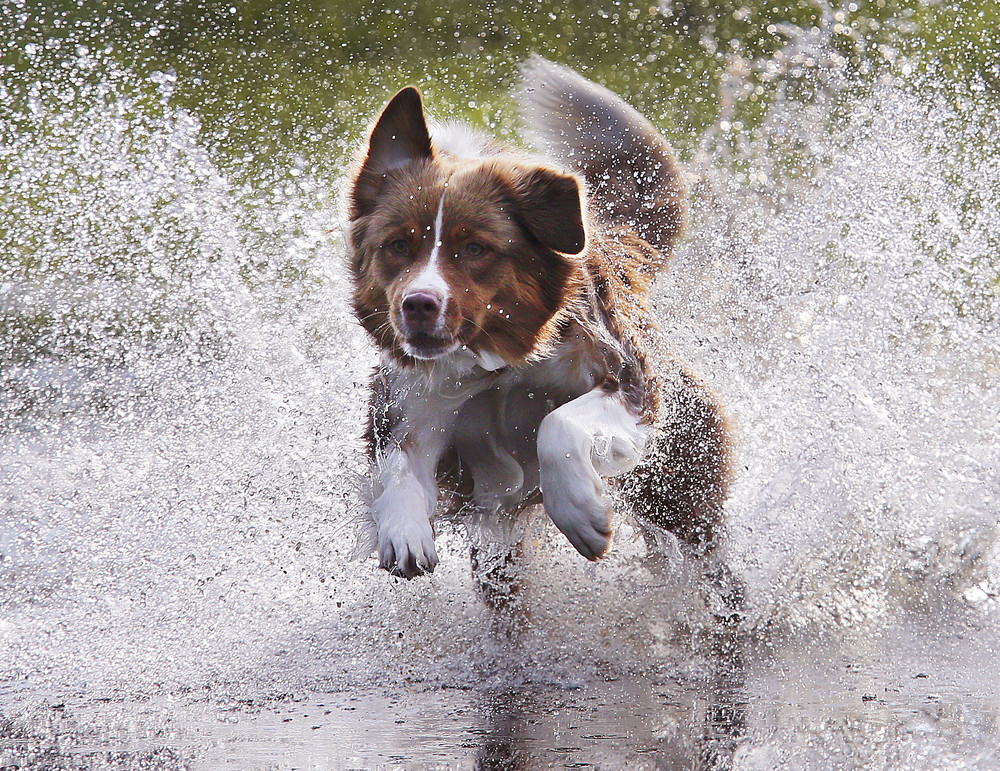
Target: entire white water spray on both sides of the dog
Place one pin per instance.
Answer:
(184, 389)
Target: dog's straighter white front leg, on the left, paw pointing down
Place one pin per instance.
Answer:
(406, 492)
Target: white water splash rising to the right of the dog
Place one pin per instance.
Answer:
(853, 314)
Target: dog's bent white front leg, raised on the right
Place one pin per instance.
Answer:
(595, 435)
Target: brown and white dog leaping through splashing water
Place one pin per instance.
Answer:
(509, 308)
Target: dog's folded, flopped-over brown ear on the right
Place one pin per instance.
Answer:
(550, 206)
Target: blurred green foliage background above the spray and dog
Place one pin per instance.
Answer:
(269, 79)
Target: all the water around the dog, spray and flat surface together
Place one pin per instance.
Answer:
(183, 386)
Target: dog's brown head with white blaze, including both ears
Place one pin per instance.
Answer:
(450, 253)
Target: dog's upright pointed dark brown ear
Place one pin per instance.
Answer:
(400, 137)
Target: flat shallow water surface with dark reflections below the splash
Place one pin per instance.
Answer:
(892, 702)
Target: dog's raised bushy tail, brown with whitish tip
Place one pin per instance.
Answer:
(630, 169)
